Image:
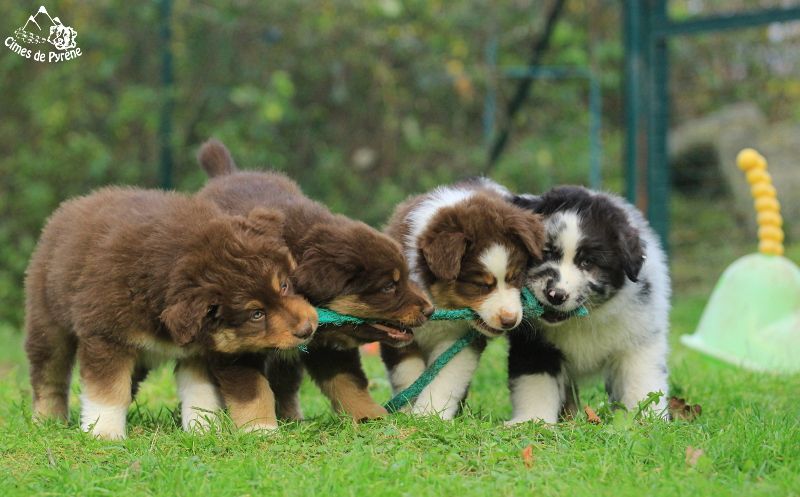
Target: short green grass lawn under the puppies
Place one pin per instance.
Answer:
(749, 435)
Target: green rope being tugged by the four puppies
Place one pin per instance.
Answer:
(531, 307)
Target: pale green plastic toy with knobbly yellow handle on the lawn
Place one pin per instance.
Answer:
(753, 316)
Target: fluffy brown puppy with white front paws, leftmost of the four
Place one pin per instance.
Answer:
(127, 278)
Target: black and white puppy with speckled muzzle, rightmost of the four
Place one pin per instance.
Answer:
(600, 252)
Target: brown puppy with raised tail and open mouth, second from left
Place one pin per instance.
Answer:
(344, 265)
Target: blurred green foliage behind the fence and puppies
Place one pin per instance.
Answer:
(362, 102)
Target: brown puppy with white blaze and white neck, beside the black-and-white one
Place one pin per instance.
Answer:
(467, 247)
